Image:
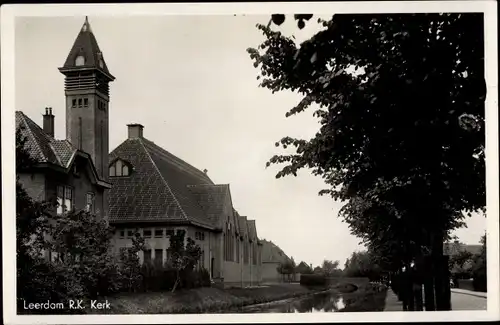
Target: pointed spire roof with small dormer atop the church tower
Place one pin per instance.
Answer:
(86, 46)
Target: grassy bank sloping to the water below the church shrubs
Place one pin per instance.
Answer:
(202, 300)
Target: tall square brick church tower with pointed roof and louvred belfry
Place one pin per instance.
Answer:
(86, 88)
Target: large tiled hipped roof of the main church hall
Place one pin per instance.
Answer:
(163, 188)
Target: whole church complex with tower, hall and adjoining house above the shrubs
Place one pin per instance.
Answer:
(139, 186)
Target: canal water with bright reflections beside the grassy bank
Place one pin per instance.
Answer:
(319, 303)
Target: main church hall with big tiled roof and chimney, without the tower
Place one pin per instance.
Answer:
(157, 194)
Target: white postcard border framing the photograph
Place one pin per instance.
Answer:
(9, 12)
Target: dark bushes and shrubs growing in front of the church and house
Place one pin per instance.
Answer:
(81, 263)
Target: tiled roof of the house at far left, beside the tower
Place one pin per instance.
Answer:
(42, 147)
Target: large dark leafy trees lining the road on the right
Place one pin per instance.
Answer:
(401, 141)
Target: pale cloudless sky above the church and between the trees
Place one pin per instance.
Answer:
(191, 83)
